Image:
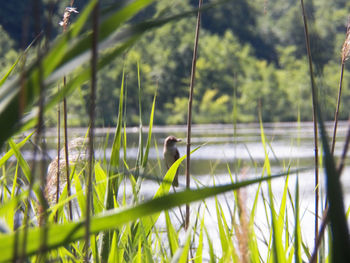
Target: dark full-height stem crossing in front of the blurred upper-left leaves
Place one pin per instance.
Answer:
(94, 58)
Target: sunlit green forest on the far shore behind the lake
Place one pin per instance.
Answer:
(251, 52)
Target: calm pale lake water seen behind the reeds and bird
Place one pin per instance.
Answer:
(239, 149)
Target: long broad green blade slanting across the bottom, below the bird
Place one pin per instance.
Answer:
(59, 235)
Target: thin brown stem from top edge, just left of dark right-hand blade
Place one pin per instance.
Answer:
(314, 107)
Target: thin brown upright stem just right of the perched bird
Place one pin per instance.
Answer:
(189, 116)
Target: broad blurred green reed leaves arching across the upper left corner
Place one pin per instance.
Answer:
(64, 58)
